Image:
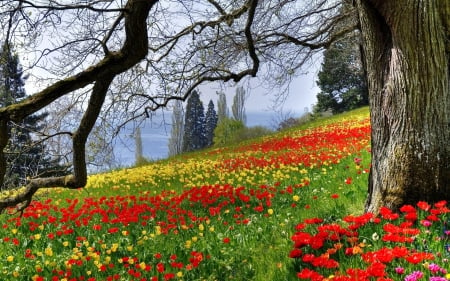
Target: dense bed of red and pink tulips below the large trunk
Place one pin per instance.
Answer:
(405, 246)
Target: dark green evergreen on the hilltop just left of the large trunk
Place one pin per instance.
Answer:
(342, 79)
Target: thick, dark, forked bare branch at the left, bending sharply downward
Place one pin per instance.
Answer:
(133, 50)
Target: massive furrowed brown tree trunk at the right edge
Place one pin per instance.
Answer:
(407, 60)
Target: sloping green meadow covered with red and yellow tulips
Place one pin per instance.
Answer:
(288, 206)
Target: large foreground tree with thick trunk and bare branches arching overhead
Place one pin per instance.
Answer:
(405, 50)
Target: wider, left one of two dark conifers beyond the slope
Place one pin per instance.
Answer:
(194, 132)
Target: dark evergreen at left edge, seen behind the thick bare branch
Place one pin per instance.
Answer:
(25, 156)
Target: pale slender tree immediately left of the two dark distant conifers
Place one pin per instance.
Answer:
(177, 131)
